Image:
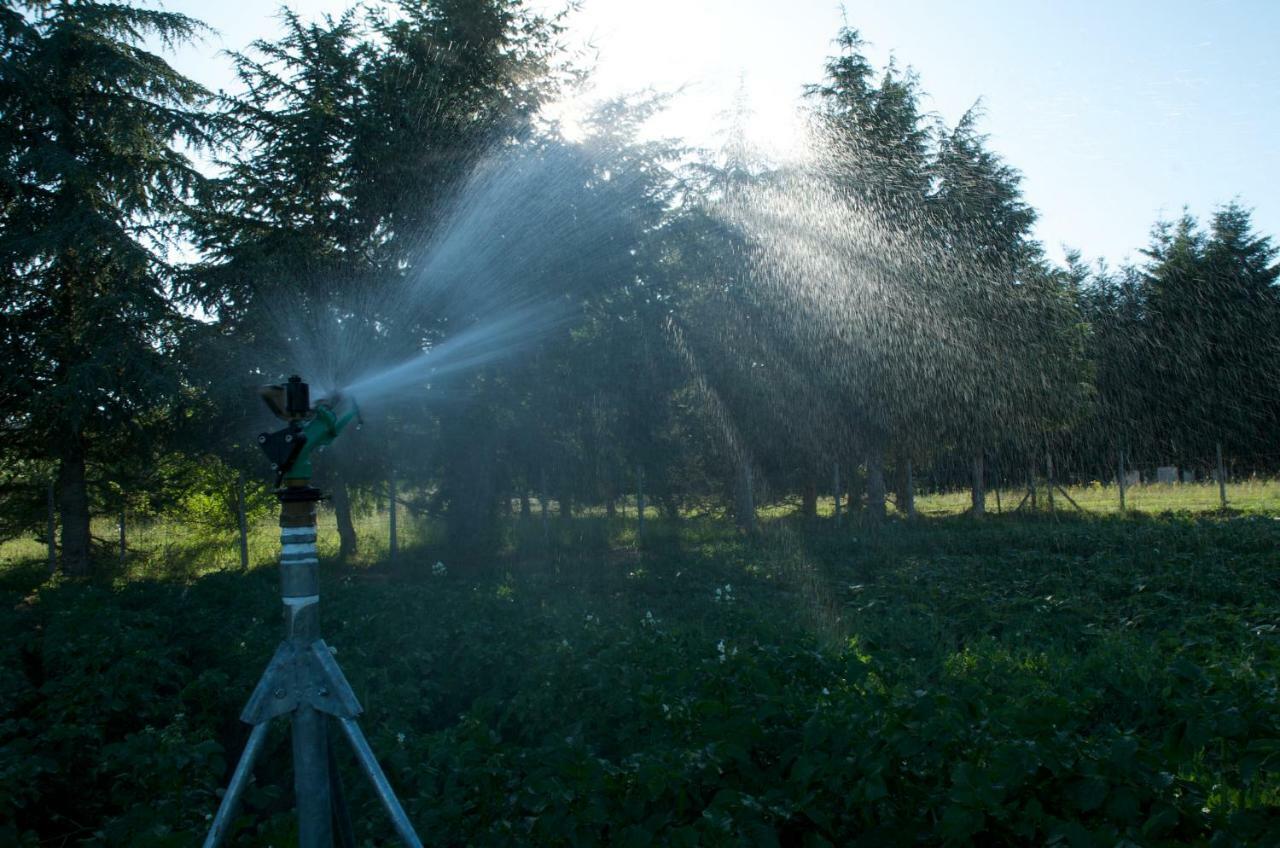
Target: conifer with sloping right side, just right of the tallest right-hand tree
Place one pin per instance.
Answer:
(1020, 350)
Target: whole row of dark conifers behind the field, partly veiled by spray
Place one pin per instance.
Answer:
(729, 330)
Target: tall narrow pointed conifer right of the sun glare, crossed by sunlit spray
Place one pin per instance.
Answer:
(876, 152)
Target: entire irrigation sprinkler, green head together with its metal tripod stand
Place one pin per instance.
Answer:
(303, 680)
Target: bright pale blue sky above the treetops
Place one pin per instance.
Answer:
(1117, 113)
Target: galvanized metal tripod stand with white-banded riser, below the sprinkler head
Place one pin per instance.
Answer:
(304, 682)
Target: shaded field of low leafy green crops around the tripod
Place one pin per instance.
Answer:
(1081, 681)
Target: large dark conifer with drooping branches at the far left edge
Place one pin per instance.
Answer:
(94, 190)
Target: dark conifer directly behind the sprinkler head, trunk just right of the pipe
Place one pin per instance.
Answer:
(289, 262)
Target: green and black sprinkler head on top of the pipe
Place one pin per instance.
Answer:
(308, 428)
